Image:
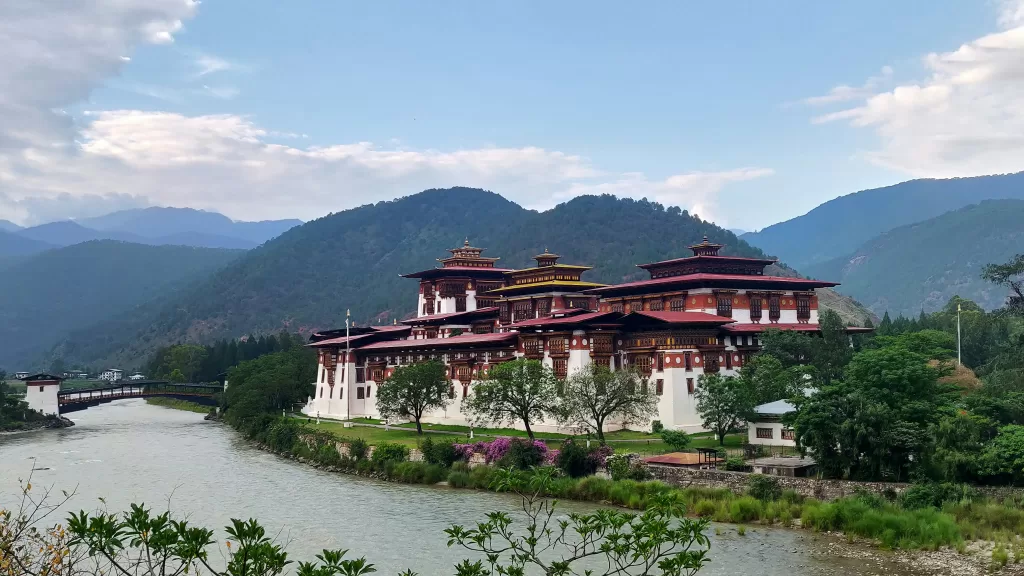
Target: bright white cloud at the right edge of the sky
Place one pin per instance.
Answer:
(965, 119)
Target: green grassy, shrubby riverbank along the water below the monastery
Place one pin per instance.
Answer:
(955, 527)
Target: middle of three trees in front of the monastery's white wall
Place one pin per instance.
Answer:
(522, 391)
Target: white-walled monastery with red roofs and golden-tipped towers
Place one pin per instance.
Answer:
(697, 315)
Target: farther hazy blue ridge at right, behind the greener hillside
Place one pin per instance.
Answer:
(841, 226)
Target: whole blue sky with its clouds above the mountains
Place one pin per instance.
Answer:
(746, 113)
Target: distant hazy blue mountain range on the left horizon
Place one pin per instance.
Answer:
(158, 227)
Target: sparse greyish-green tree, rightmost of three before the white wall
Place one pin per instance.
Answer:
(594, 395)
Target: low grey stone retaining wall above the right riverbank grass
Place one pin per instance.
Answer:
(809, 487)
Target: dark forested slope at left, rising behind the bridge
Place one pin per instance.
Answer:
(46, 297)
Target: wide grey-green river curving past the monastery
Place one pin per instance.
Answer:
(129, 451)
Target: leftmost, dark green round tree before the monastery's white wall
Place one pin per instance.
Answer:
(414, 390)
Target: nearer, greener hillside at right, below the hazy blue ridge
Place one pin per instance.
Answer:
(921, 266)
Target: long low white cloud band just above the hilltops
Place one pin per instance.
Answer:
(229, 163)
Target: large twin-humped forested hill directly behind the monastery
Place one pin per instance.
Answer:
(310, 276)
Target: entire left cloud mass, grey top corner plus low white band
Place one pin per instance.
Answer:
(55, 167)
